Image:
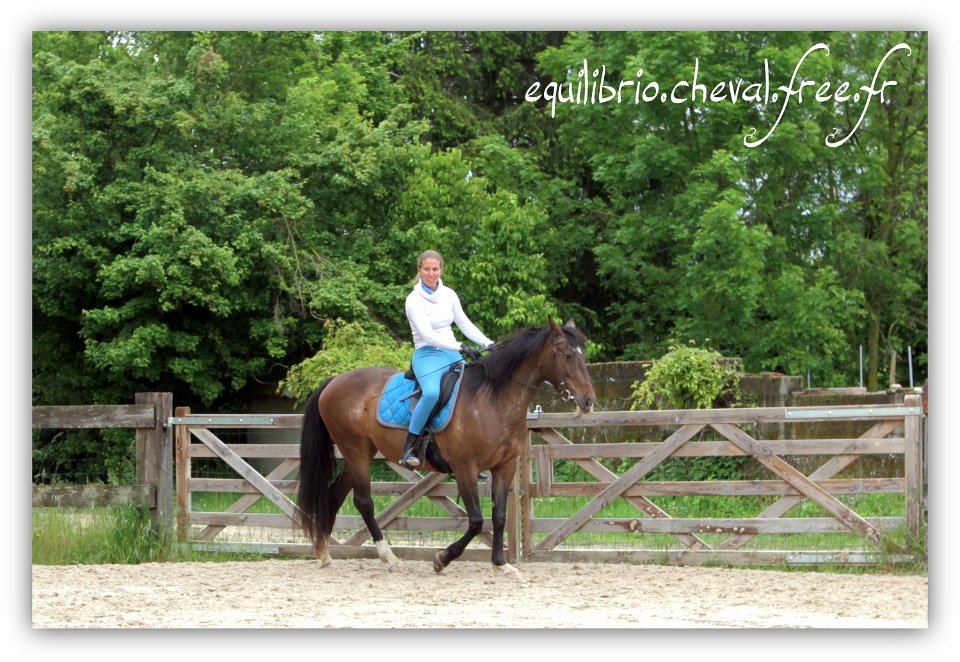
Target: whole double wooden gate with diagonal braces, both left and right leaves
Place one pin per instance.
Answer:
(889, 430)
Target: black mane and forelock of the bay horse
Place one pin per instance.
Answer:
(496, 369)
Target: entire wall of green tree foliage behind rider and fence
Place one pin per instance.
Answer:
(206, 203)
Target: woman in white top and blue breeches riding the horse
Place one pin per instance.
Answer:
(431, 309)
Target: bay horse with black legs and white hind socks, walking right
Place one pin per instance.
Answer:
(487, 431)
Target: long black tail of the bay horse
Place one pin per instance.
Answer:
(317, 468)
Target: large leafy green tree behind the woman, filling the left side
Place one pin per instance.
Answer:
(204, 202)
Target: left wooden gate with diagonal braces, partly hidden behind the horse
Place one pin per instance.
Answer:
(196, 439)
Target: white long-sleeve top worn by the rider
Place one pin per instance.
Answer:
(431, 317)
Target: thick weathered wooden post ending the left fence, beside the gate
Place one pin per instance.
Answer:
(155, 459)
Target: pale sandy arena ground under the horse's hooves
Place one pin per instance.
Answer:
(366, 594)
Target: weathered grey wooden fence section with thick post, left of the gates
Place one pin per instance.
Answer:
(154, 455)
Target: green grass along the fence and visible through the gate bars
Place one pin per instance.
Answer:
(124, 535)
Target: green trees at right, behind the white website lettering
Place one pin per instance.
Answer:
(698, 236)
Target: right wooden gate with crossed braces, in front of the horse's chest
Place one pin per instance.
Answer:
(890, 430)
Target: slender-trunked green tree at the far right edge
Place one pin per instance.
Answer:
(881, 235)
